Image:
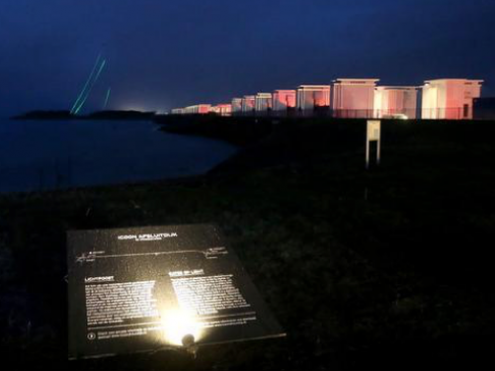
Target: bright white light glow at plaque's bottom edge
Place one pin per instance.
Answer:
(179, 323)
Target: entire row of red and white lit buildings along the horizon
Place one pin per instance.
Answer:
(357, 98)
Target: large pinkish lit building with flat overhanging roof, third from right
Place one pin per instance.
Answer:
(353, 98)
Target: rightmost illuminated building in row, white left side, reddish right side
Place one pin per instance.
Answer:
(450, 99)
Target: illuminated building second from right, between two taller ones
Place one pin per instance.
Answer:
(396, 102)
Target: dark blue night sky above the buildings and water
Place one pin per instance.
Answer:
(172, 53)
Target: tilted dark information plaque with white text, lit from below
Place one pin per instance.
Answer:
(143, 289)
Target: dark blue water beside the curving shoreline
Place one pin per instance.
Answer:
(43, 155)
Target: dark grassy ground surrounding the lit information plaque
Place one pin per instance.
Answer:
(389, 268)
